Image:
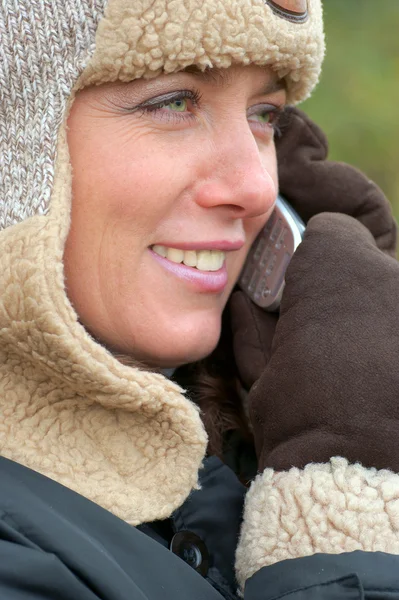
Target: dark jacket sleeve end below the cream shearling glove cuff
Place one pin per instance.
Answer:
(349, 576)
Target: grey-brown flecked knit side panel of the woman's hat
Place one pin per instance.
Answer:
(44, 47)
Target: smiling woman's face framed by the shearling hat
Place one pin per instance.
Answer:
(172, 180)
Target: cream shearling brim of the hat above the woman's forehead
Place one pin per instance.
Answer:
(147, 37)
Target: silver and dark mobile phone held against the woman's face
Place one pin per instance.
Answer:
(262, 277)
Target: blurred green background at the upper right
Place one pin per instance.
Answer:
(357, 100)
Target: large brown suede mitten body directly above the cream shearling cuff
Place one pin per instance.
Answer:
(331, 384)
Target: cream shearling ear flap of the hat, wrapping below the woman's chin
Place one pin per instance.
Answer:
(124, 438)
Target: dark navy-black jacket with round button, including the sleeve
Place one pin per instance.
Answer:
(56, 545)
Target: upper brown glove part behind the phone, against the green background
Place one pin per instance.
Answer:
(313, 184)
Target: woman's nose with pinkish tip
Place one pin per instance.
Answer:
(241, 174)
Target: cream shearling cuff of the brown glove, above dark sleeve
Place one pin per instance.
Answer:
(329, 508)
